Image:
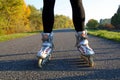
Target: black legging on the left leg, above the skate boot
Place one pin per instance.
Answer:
(48, 15)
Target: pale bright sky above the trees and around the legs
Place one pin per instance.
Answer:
(94, 9)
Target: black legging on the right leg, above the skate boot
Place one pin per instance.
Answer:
(78, 14)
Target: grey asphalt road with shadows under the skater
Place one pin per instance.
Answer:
(18, 59)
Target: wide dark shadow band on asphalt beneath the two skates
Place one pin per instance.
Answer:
(53, 65)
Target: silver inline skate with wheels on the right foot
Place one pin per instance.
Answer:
(85, 50)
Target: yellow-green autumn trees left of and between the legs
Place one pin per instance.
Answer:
(17, 17)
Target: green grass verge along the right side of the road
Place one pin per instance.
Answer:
(106, 34)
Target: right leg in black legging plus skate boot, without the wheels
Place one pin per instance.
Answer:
(78, 20)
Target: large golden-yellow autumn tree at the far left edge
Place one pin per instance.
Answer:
(13, 16)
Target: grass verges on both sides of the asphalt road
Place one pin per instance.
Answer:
(100, 33)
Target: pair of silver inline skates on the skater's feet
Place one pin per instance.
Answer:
(44, 55)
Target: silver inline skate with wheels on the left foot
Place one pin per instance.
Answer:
(44, 55)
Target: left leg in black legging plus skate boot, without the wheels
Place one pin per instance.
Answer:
(47, 35)
